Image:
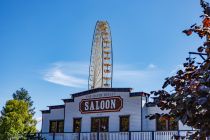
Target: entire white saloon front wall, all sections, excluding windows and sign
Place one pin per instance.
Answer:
(131, 107)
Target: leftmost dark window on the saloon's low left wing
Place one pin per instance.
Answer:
(57, 126)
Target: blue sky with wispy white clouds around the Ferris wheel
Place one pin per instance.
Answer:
(45, 45)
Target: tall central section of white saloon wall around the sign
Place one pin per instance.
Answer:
(131, 106)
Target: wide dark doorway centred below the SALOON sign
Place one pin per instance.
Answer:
(100, 124)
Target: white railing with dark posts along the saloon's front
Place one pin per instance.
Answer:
(131, 135)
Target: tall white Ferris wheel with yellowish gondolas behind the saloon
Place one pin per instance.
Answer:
(101, 61)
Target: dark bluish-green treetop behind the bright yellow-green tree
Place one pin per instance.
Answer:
(23, 94)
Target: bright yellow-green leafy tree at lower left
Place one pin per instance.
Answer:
(16, 120)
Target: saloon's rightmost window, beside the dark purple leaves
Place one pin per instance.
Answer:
(165, 124)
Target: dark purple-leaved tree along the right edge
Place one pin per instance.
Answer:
(189, 102)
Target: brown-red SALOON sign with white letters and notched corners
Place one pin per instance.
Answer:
(99, 105)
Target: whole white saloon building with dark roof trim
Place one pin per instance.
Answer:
(105, 110)
